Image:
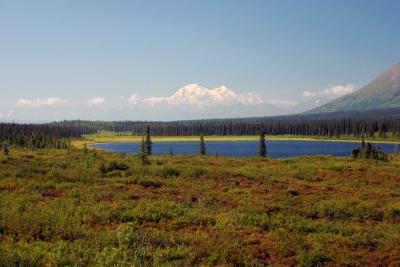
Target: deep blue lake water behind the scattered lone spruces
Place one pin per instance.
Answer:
(275, 149)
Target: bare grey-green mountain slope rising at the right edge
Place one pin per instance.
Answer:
(382, 93)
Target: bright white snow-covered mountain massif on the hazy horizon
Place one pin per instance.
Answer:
(198, 96)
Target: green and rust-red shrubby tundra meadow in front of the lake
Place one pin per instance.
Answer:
(60, 208)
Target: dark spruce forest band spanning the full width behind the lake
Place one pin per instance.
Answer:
(58, 134)
